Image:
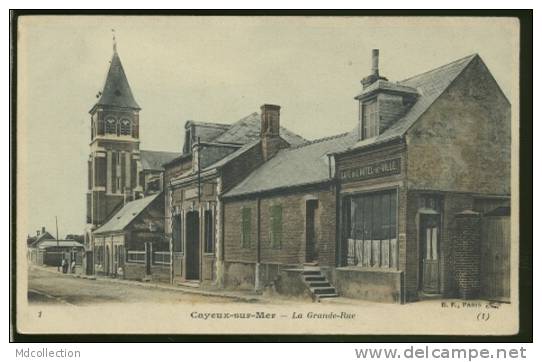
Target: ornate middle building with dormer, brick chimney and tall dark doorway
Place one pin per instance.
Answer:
(215, 158)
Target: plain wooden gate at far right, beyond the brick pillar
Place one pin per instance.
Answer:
(495, 254)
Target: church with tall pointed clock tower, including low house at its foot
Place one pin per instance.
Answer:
(119, 173)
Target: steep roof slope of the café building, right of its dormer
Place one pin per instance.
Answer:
(430, 86)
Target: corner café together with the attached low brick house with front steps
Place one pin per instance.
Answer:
(396, 210)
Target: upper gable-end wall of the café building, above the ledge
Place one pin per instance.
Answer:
(462, 143)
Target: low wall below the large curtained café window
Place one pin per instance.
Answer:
(374, 285)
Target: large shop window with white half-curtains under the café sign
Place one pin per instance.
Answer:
(372, 240)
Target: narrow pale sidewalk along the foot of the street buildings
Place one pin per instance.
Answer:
(250, 297)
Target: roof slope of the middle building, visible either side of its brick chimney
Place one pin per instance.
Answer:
(247, 129)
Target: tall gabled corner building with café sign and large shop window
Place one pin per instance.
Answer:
(433, 158)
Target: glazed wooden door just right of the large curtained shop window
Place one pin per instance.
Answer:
(429, 253)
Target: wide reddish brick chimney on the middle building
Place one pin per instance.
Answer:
(270, 131)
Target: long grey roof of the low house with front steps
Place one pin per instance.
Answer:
(295, 166)
